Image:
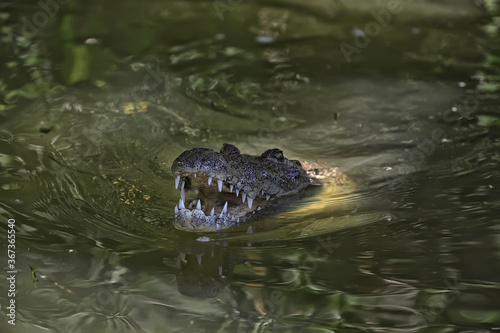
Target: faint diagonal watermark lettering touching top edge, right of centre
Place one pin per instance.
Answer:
(372, 29)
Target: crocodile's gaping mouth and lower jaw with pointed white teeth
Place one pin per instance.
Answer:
(218, 204)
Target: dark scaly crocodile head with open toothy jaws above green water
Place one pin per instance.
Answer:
(230, 187)
